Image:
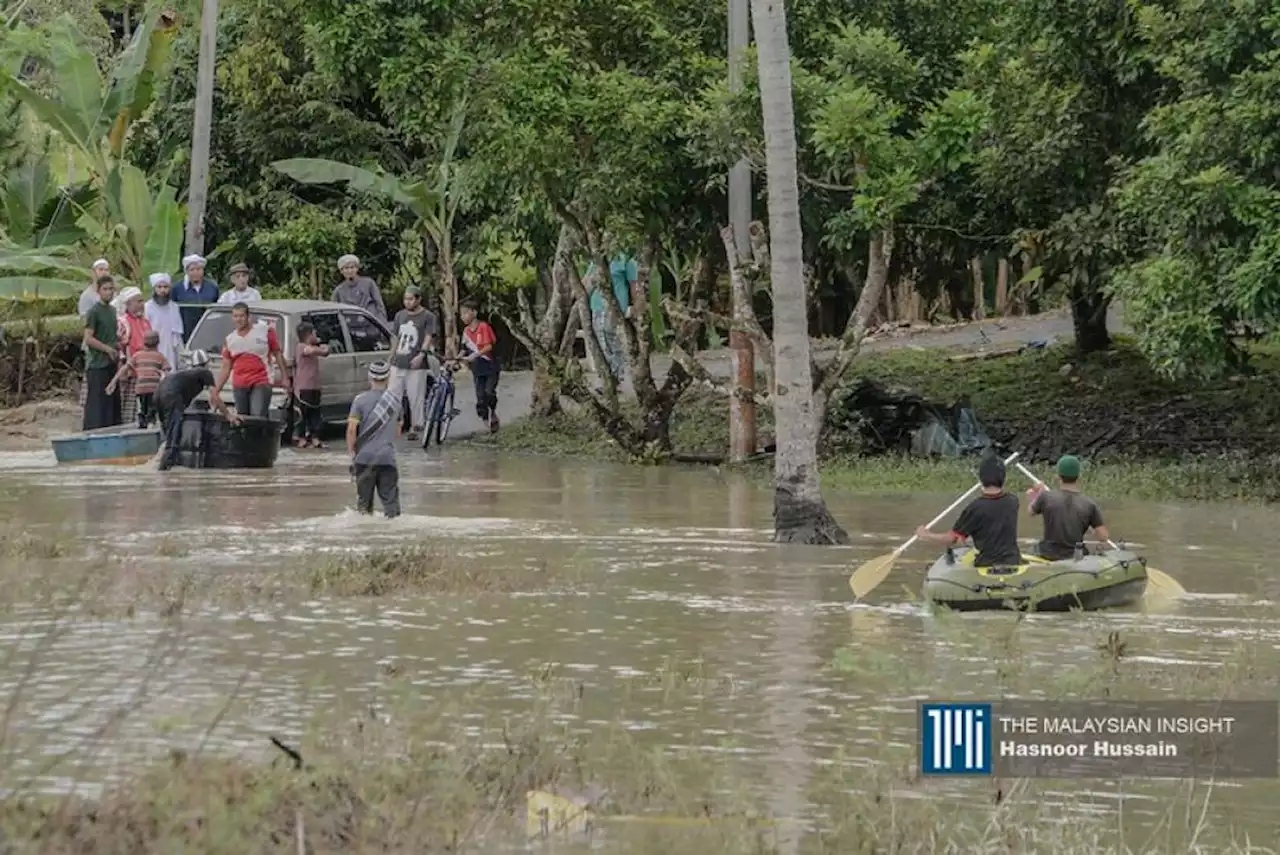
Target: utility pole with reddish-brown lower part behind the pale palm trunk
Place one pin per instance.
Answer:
(742, 405)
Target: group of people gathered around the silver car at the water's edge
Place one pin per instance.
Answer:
(132, 344)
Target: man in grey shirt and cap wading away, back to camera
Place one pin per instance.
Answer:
(373, 428)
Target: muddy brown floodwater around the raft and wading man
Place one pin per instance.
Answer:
(671, 566)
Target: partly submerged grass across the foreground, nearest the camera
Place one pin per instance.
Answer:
(408, 776)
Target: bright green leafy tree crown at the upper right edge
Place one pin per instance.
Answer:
(1205, 203)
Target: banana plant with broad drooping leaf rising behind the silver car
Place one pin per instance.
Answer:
(435, 203)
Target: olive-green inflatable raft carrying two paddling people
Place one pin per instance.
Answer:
(1094, 582)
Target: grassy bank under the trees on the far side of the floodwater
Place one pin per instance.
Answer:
(1154, 440)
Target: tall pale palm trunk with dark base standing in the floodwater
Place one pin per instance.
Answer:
(799, 511)
